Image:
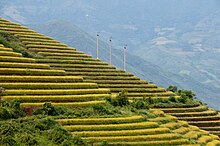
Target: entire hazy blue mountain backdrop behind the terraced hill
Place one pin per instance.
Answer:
(177, 41)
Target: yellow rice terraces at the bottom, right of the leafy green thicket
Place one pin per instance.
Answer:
(138, 130)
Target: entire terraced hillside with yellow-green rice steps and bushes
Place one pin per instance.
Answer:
(53, 94)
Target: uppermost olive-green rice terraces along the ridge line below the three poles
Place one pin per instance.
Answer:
(76, 63)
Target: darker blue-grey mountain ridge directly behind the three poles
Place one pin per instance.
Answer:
(75, 37)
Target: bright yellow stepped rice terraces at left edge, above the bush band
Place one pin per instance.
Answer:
(34, 83)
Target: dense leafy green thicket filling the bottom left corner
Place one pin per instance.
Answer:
(36, 130)
